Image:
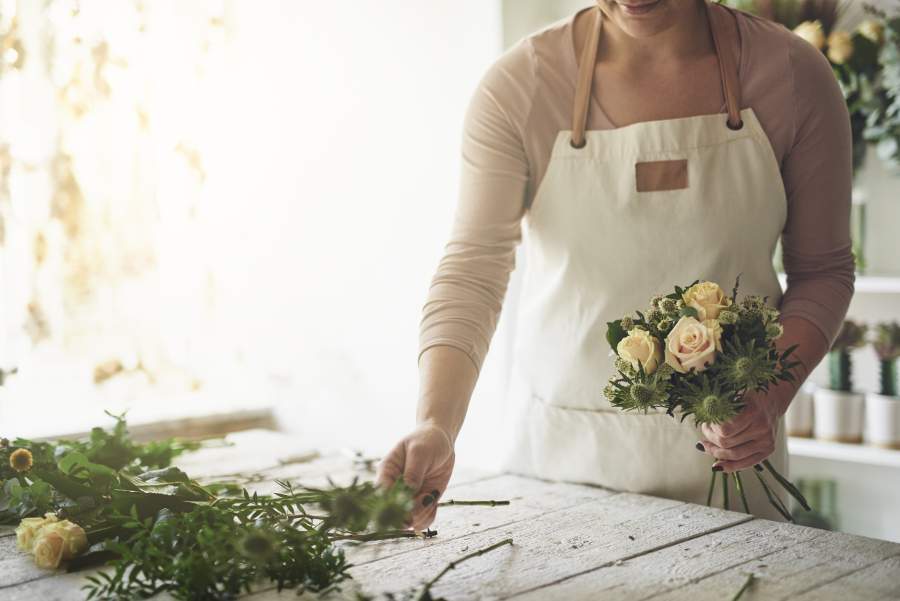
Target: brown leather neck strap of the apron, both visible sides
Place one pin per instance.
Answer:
(723, 26)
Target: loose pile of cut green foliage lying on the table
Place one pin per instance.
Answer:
(157, 530)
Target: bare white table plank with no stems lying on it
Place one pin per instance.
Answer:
(680, 565)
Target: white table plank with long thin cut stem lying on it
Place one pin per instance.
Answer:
(554, 546)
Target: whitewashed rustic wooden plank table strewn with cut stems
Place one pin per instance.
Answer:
(570, 542)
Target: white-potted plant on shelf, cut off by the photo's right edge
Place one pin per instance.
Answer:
(883, 409)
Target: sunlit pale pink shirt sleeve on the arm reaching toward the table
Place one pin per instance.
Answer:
(466, 293)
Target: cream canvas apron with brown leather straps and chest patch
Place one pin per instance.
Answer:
(598, 248)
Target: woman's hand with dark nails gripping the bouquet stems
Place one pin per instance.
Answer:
(748, 438)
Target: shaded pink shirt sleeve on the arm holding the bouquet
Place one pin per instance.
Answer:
(817, 173)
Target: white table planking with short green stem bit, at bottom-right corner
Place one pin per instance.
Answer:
(804, 571)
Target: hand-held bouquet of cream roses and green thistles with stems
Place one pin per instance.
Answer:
(697, 352)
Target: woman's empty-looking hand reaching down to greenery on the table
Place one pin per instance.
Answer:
(425, 460)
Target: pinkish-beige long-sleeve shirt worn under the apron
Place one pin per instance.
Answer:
(526, 97)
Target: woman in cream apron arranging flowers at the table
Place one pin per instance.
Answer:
(643, 143)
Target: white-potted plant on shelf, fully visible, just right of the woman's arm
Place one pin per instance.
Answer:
(838, 409)
